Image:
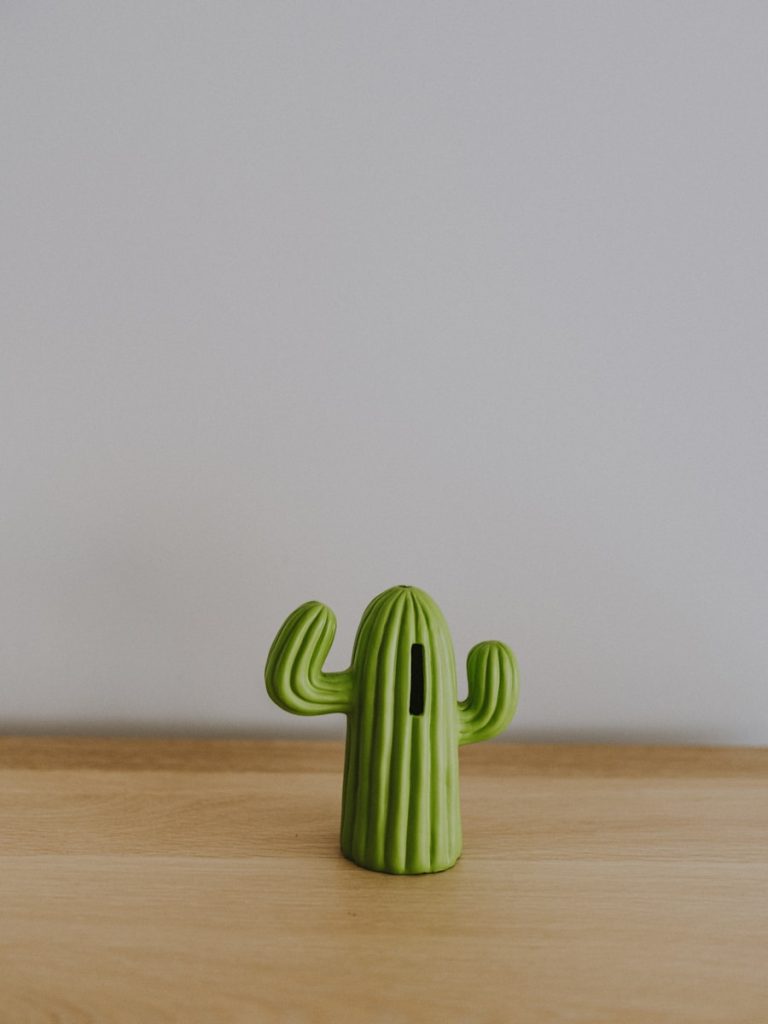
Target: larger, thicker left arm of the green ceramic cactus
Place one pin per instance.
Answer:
(294, 674)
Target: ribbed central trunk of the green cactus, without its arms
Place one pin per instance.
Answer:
(401, 802)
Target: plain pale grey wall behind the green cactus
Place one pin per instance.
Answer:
(303, 301)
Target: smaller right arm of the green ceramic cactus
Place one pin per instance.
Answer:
(490, 707)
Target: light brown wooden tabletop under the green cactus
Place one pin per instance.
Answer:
(197, 881)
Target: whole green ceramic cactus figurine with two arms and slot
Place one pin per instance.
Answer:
(401, 800)
